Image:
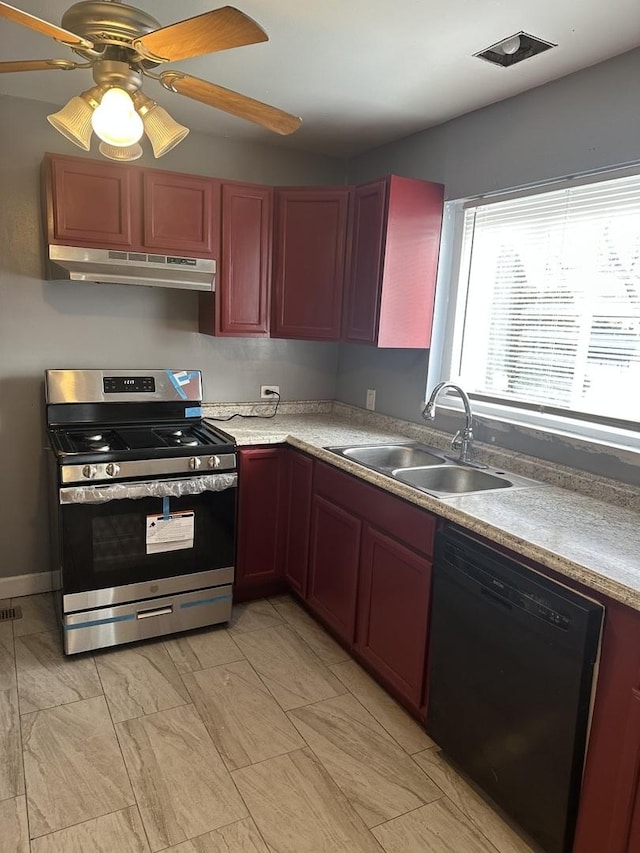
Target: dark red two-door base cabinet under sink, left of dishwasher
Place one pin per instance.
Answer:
(370, 577)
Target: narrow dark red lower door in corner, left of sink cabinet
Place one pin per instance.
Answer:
(300, 472)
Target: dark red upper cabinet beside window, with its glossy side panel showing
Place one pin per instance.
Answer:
(393, 263)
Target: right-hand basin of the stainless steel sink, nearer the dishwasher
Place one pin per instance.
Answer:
(449, 480)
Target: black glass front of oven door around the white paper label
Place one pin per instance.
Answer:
(106, 545)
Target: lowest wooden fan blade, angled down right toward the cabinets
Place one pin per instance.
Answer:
(230, 102)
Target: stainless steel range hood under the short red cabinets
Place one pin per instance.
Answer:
(119, 267)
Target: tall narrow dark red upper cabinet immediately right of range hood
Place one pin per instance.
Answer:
(240, 305)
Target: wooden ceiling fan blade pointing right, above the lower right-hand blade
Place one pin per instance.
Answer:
(208, 33)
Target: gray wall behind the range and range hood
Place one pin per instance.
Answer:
(52, 324)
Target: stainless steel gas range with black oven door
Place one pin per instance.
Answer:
(143, 505)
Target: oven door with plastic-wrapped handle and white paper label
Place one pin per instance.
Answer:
(131, 541)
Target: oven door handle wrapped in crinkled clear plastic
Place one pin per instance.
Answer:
(104, 492)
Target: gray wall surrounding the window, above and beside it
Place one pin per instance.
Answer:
(588, 120)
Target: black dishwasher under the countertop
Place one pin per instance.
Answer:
(511, 668)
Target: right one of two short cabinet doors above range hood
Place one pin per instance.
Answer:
(180, 213)
